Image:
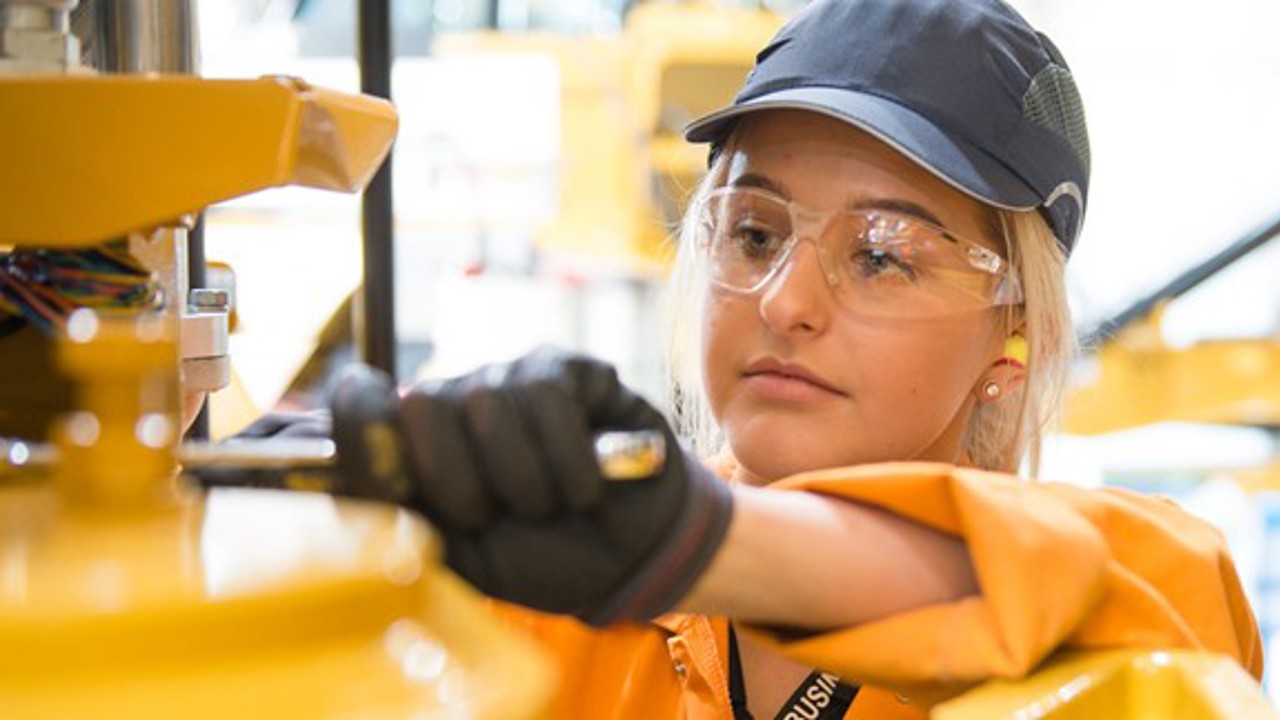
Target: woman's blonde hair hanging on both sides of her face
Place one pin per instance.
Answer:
(1000, 434)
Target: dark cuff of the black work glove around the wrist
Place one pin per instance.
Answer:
(671, 569)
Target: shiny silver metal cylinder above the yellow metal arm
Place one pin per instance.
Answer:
(147, 37)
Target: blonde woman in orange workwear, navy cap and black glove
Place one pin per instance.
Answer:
(883, 231)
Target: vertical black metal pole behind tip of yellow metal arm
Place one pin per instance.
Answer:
(376, 330)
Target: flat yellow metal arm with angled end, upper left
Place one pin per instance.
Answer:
(89, 158)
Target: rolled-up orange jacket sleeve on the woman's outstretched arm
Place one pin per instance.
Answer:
(1057, 566)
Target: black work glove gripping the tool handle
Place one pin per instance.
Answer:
(502, 462)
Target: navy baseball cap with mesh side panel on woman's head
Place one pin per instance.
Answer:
(964, 88)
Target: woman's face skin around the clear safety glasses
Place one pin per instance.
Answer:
(877, 390)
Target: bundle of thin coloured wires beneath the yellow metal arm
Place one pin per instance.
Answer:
(44, 288)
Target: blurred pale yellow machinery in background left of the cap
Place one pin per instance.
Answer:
(625, 168)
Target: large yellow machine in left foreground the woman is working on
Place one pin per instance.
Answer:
(125, 591)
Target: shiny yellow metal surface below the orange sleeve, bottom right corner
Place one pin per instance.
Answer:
(1119, 686)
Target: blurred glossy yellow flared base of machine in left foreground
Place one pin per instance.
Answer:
(253, 605)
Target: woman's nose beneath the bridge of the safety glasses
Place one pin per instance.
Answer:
(799, 299)
